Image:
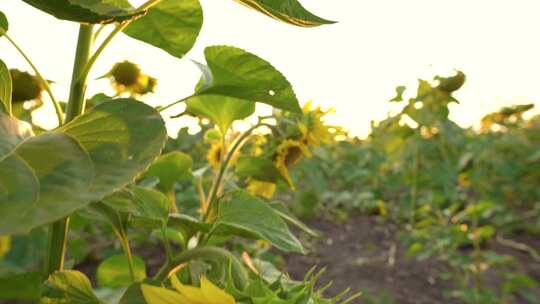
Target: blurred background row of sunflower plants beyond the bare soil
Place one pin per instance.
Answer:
(453, 191)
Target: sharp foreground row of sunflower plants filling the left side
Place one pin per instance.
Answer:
(106, 186)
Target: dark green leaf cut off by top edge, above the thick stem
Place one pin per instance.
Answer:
(84, 11)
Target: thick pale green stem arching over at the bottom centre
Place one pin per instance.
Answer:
(211, 254)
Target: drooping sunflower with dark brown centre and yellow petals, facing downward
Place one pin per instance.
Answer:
(290, 152)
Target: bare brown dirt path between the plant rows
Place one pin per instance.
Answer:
(365, 253)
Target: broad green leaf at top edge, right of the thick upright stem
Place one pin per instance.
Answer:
(171, 25)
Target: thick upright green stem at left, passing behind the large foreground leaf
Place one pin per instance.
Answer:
(59, 230)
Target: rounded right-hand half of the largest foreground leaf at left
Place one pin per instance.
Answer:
(122, 137)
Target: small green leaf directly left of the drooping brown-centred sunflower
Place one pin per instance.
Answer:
(258, 168)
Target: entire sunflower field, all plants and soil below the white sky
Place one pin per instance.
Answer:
(280, 208)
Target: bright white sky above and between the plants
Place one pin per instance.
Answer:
(352, 66)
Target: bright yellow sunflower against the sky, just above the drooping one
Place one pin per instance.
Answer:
(312, 128)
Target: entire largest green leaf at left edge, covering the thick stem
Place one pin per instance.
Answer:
(55, 173)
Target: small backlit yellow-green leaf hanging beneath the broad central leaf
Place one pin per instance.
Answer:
(221, 110)
